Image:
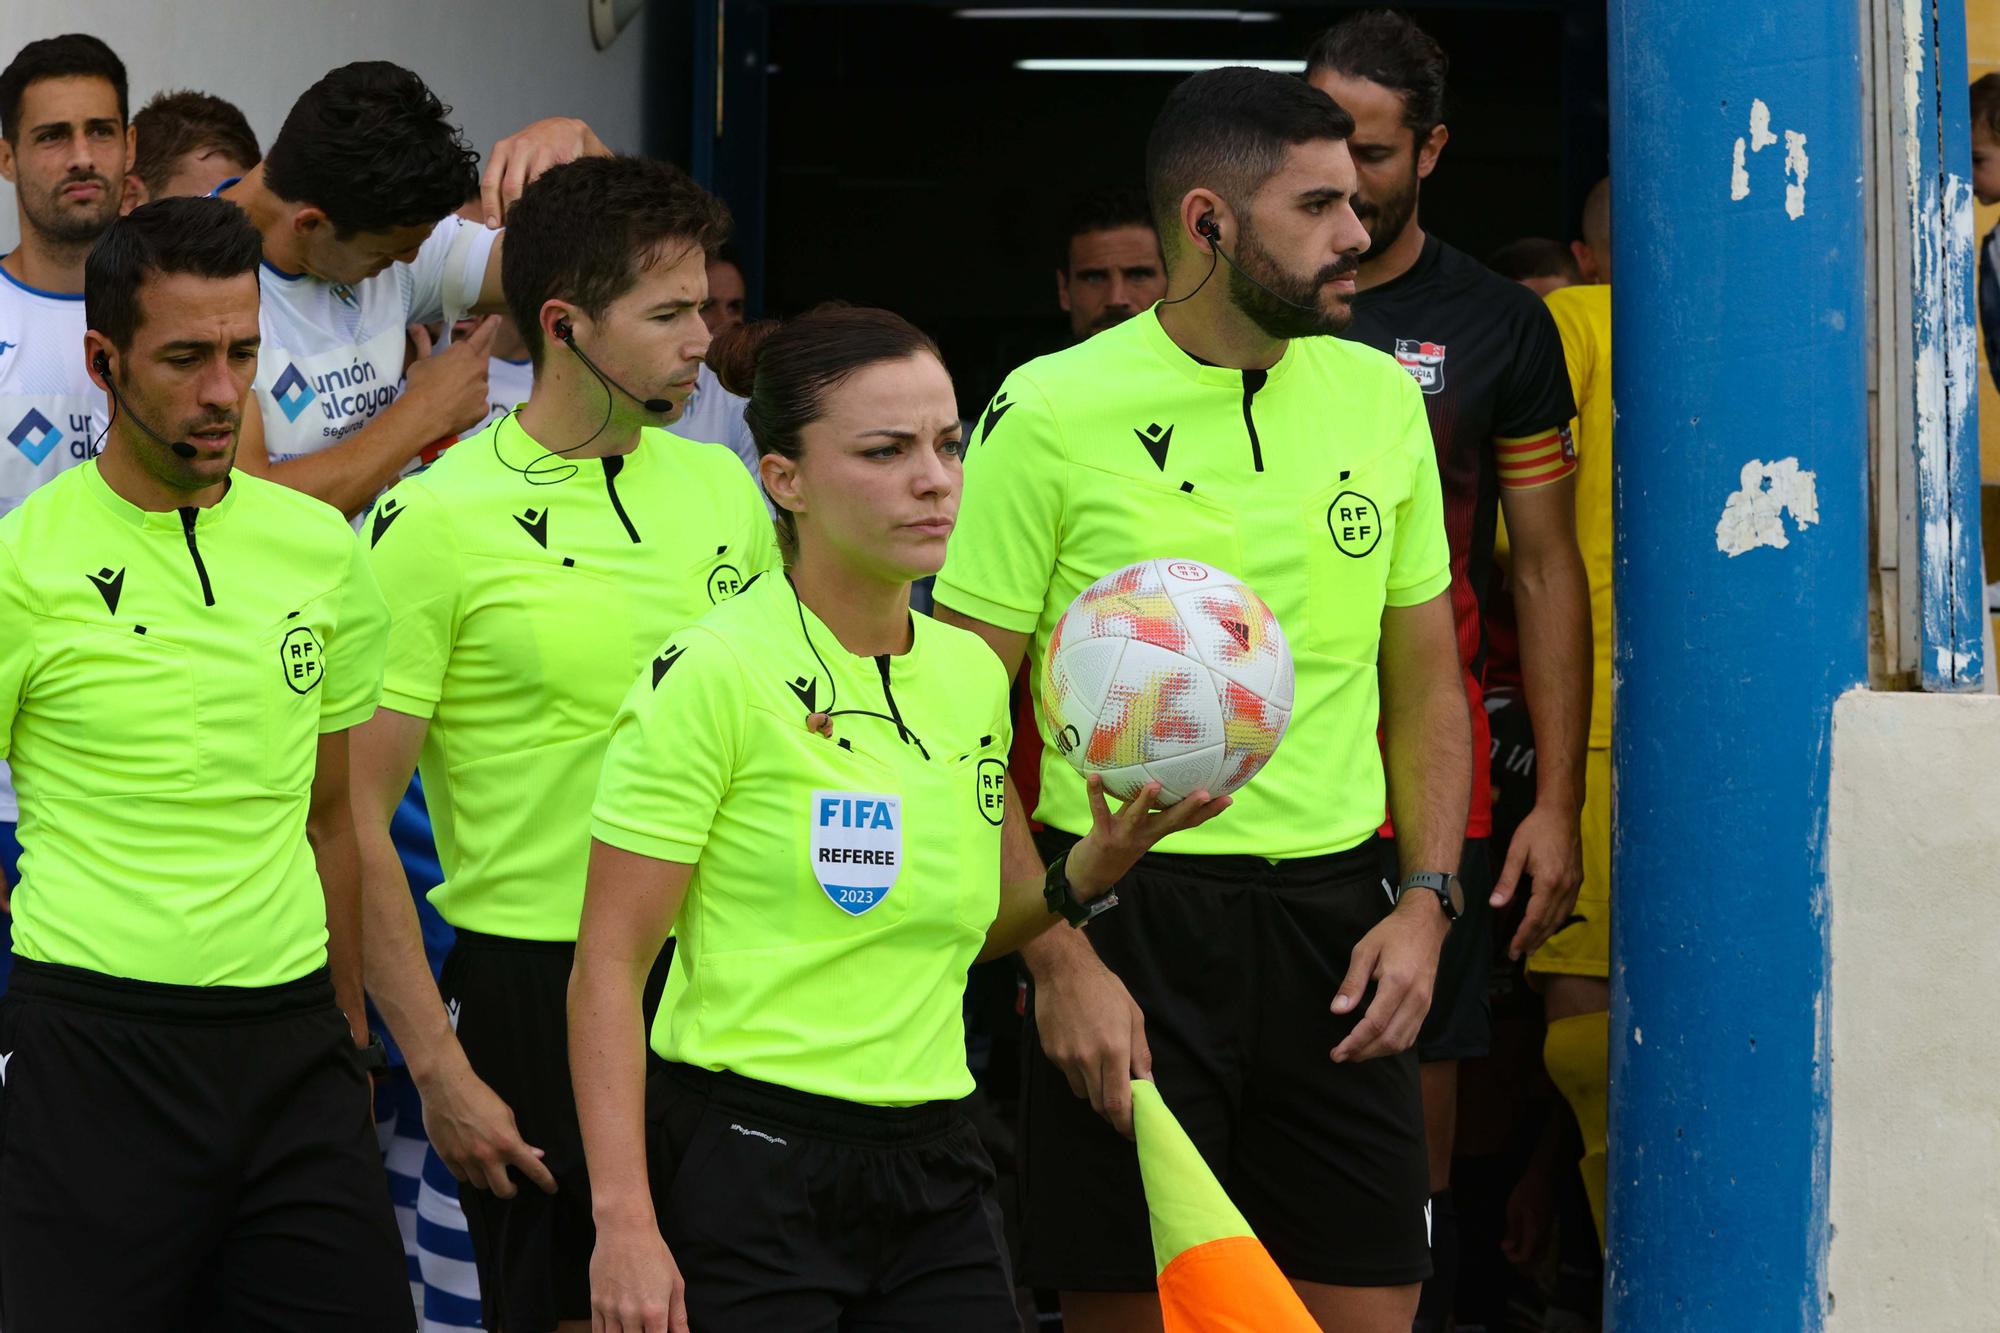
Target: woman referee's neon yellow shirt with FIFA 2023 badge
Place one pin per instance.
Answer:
(841, 886)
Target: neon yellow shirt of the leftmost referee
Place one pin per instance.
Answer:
(163, 688)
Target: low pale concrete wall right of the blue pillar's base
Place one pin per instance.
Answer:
(1915, 886)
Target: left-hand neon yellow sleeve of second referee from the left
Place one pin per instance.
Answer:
(411, 547)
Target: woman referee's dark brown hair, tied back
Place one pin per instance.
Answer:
(789, 369)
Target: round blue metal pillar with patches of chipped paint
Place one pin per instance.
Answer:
(1741, 383)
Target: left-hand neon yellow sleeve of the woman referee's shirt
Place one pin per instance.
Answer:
(673, 752)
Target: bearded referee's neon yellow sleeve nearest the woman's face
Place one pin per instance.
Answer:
(1003, 553)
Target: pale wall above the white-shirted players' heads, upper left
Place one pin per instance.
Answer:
(495, 63)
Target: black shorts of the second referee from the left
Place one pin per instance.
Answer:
(509, 1004)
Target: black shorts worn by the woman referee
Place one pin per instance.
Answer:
(811, 1214)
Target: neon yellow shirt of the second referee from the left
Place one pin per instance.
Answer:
(521, 609)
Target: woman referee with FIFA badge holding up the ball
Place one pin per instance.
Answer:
(811, 786)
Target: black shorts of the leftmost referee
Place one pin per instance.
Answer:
(189, 1158)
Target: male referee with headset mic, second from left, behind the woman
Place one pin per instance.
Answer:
(531, 573)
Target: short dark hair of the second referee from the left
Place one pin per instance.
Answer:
(585, 231)
